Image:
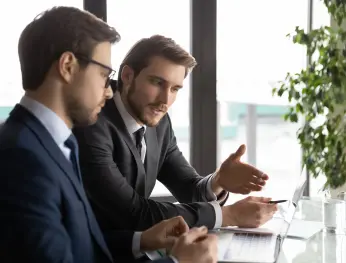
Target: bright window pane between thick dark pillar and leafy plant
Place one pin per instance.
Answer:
(253, 53)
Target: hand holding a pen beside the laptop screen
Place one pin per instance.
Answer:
(249, 212)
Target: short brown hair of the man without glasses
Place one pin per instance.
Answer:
(140, 54)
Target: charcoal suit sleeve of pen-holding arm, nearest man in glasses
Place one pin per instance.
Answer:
(116, 203)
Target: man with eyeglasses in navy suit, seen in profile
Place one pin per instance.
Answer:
(65, 58)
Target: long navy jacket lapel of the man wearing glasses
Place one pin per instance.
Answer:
(56, 154)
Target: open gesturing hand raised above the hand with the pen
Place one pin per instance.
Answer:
(238, 177)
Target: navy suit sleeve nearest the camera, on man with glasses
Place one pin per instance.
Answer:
(30, 219)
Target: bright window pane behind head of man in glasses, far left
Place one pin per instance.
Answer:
(18, 14)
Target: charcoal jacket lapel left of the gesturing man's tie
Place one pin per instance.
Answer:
(113, 114)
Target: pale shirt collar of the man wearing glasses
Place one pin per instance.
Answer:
(50, 120)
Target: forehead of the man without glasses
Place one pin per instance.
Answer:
(166, 69)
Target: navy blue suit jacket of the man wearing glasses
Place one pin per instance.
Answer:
(45, 215)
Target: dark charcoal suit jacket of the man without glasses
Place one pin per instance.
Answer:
(118, 183)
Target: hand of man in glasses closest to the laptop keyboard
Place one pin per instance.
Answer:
(196, 246)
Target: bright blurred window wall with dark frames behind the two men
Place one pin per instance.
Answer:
(242, 51)
